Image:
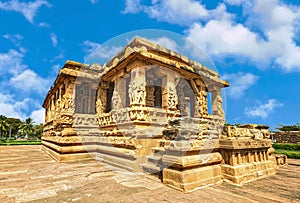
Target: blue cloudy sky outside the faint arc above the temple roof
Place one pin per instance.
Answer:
(254, 44)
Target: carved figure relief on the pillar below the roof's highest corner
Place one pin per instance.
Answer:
(137, 93)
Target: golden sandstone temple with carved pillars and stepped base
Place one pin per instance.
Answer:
(150, 109)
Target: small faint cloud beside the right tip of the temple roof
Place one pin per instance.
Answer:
(239, 83)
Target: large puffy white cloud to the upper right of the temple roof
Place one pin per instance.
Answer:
(222, 38)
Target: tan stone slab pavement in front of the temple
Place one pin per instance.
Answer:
(28, 175)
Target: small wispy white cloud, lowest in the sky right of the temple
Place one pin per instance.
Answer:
(263, 110)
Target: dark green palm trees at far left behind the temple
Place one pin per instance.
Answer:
(14, 128)
